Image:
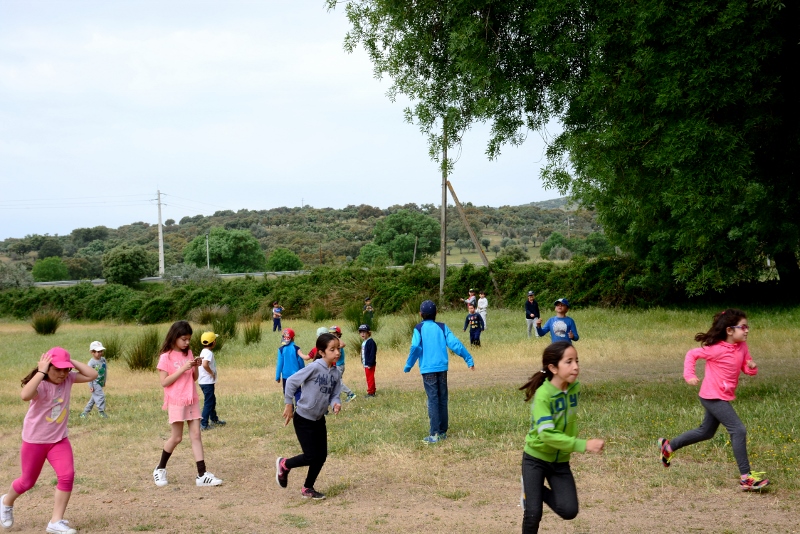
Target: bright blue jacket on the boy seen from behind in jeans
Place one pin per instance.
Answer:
(429, 345)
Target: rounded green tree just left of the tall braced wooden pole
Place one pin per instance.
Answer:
(397, 233)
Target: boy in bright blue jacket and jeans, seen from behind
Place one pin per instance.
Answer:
(429, 345)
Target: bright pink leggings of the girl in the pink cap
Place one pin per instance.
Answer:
(32, 457)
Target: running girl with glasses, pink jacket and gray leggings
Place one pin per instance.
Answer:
(724, 348)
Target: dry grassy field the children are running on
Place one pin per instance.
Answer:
(380, 477)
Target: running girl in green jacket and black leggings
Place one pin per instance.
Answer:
(552, 437)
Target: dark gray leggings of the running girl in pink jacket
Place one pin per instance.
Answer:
(718, 411)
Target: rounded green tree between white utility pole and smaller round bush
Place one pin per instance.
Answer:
(230, 251)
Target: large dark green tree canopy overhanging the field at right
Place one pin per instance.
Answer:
(681, 122)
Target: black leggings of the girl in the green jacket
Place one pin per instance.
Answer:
(561, 496)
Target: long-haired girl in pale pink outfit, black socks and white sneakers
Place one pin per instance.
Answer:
(177, 369)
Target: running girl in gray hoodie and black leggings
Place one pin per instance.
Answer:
(321, 385)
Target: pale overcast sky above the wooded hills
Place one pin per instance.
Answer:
(219, 105)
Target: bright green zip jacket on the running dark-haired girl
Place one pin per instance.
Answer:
(554, 423)
